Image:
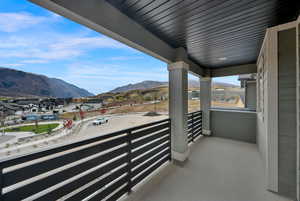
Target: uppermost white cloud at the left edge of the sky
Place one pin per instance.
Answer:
(12, 22)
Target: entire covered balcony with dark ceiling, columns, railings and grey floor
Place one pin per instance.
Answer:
(209, 39)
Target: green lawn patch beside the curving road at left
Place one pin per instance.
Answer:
(32, 128)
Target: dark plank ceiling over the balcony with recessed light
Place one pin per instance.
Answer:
(216, 33)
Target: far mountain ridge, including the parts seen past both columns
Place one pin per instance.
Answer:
(153, 84)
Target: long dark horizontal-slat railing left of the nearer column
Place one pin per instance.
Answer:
(105, 167)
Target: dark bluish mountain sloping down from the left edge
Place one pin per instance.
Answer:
(18, 83)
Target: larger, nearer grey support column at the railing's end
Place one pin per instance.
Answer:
(178, 109)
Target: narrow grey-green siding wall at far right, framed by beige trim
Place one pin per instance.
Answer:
(287, 139)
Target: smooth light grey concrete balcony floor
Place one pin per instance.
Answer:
(217, 170)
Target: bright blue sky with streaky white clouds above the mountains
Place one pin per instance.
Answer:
(35, 40)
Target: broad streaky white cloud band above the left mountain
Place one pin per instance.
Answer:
(56, 47)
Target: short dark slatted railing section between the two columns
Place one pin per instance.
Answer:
(194, 125)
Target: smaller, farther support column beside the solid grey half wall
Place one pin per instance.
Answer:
(205, 101)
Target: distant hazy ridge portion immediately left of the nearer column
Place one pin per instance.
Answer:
(140, 85)
